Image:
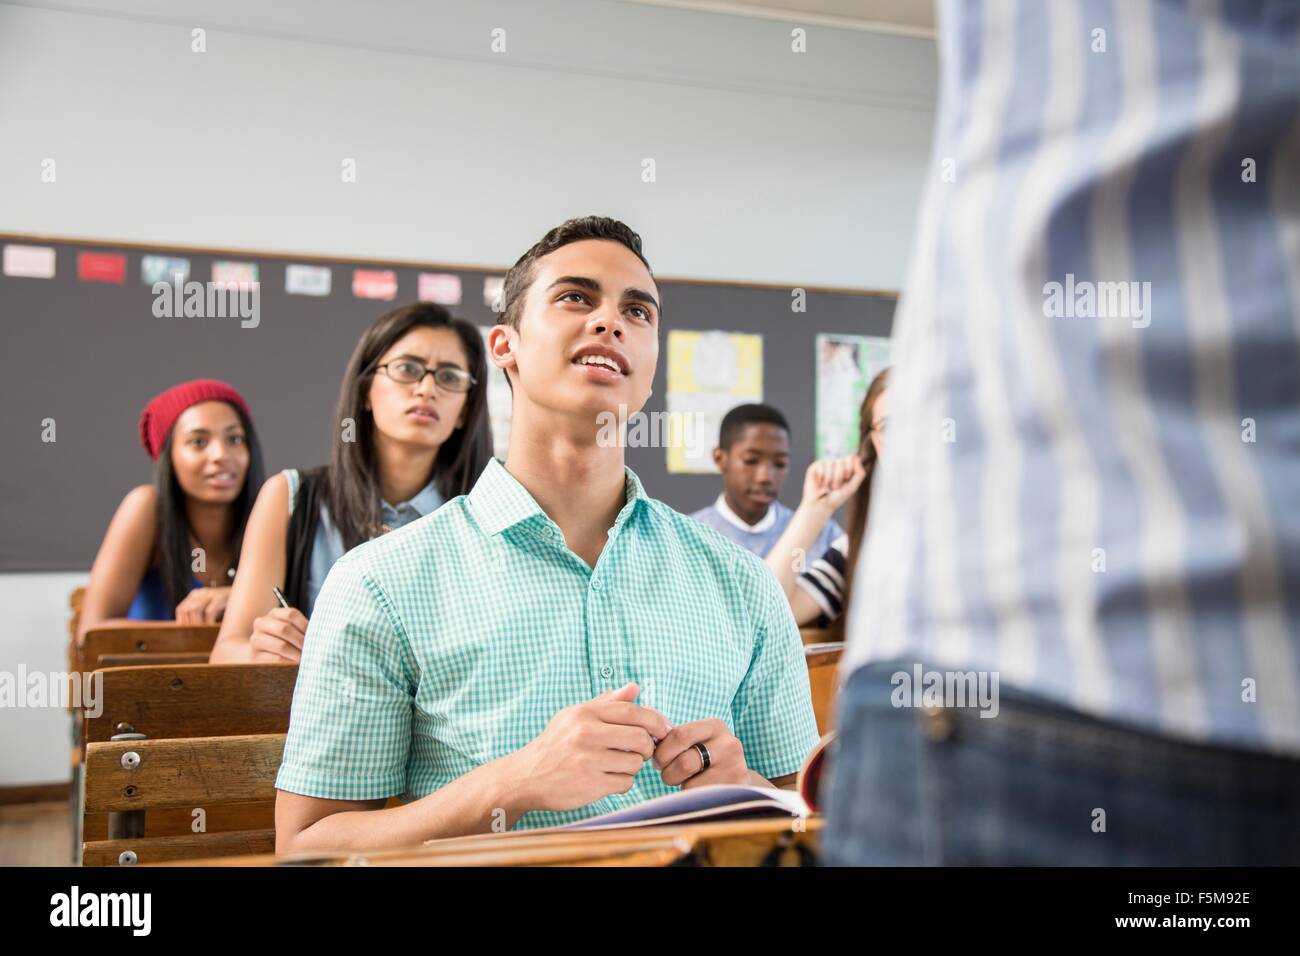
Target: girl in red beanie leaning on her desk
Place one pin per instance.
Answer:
(172, 548)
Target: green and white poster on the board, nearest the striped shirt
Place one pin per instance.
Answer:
(846, 366)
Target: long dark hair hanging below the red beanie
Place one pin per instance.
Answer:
(175, 548)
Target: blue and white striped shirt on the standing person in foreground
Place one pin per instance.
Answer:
(1099, 499)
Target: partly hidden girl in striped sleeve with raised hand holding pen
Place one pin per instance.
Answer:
(820, 592)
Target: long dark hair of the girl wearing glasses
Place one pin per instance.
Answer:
(354, 474)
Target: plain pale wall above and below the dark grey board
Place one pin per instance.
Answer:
(772, 166)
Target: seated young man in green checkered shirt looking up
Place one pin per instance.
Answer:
(556, 644)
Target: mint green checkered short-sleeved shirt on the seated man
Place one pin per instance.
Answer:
(454, 641)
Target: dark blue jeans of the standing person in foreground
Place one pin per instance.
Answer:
(1041, 785)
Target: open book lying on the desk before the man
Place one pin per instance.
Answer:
(721, 802)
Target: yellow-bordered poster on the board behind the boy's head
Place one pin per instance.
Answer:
(709, 375)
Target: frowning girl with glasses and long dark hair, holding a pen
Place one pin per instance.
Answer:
(410, 434)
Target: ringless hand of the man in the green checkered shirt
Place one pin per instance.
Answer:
(587, 752)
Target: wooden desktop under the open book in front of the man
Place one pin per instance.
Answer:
(727, 843)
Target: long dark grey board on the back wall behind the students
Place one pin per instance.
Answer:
(89, 354)
